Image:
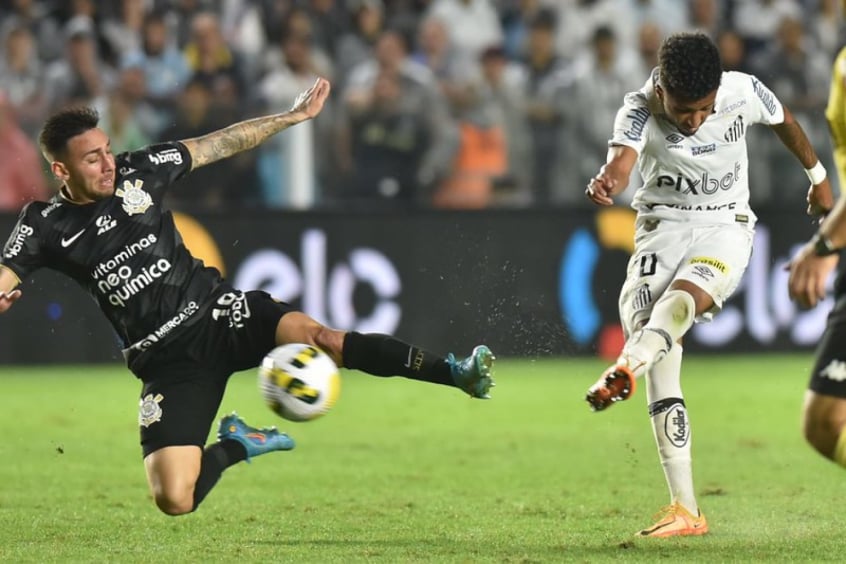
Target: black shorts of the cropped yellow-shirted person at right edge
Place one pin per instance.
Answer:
(829, 374)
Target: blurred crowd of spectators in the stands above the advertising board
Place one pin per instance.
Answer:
(435, 104)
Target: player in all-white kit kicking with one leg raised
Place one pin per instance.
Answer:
(686, 131)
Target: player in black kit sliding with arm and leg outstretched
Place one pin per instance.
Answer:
(184, 329)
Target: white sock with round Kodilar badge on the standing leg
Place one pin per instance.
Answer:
(671, 427)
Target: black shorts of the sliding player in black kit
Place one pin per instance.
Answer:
(184, 381)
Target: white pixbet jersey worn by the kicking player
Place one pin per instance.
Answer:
(707, 171)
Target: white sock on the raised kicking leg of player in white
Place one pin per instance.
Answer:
(671, 317)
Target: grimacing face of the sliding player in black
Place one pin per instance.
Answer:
(88, 167)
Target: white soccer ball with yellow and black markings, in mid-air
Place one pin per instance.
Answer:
(299, 382)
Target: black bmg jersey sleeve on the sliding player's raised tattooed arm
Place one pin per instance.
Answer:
(165, 163)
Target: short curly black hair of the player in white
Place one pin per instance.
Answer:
(689, 66)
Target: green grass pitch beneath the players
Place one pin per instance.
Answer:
(402, 471)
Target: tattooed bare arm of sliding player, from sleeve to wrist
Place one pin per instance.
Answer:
(237, 137)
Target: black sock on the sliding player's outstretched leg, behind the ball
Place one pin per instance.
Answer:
(383, 355)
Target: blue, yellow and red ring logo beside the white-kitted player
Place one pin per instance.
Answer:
(588, 287)
